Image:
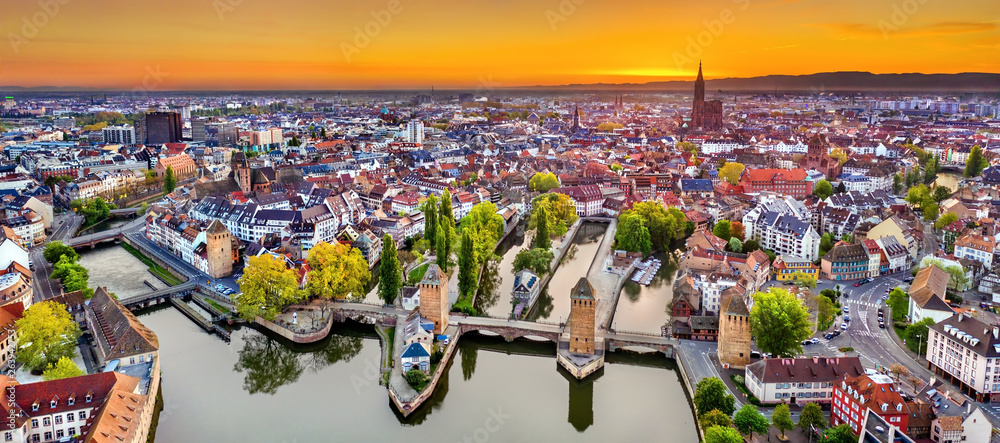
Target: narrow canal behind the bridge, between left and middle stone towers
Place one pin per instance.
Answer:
(553, 303)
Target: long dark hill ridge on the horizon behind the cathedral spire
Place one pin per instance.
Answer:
(820, 82)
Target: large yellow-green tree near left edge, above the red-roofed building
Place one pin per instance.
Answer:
(46, 333)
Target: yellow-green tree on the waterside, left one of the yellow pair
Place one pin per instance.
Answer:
(266, 287)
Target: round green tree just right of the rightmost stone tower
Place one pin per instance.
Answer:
(780, 322)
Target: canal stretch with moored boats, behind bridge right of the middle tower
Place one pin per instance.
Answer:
(644, 308)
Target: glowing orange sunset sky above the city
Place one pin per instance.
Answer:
(311, 44)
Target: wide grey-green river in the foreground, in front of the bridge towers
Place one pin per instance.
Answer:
(259, 389)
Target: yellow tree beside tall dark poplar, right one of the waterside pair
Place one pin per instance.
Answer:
(338, 270)
